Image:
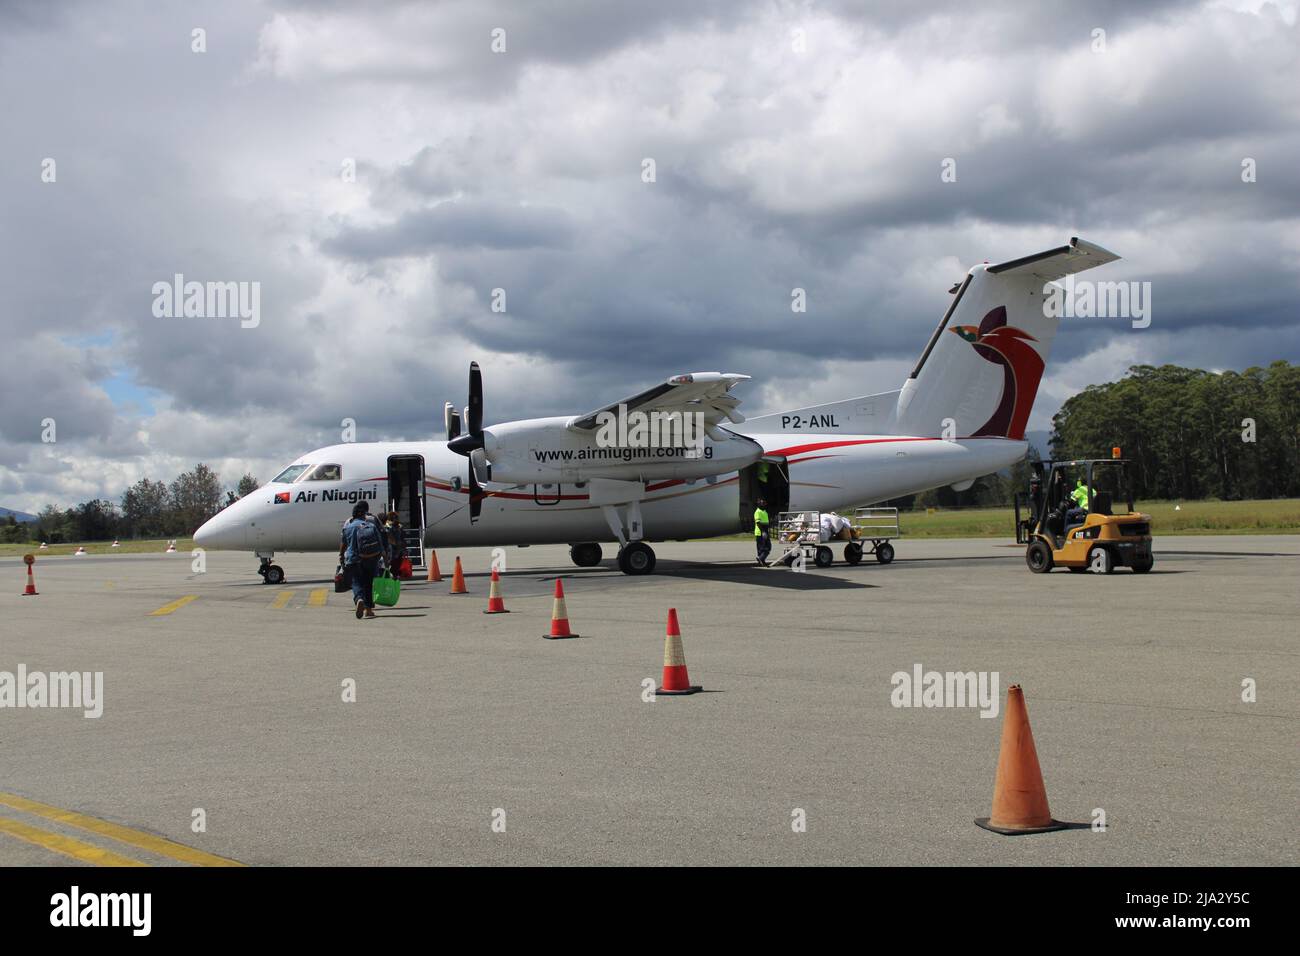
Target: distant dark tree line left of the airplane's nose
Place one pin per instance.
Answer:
(148, 509)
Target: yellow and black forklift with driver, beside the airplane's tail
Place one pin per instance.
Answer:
(1102, 538)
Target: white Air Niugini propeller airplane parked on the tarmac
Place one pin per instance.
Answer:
(960, 416)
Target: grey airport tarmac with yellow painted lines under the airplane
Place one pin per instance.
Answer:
(474, 741)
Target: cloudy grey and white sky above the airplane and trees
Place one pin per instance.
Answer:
(796, 145)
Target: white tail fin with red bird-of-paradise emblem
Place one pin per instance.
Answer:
(983, 364)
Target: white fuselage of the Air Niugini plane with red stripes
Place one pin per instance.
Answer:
(826, 473)
